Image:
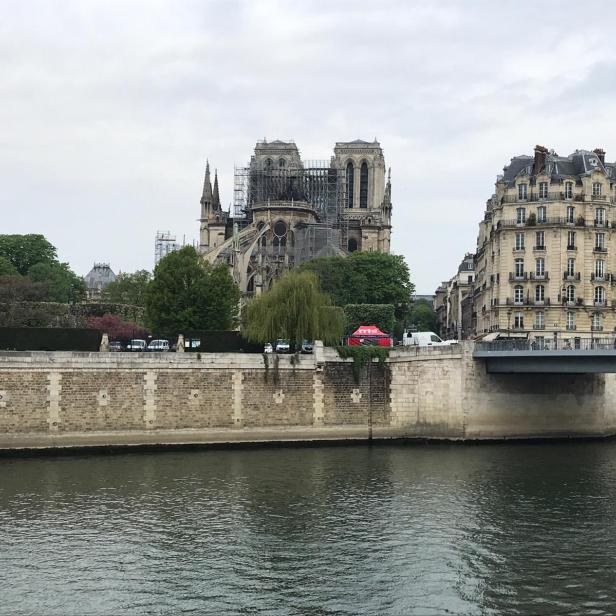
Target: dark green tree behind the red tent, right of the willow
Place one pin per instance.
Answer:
(365, 278)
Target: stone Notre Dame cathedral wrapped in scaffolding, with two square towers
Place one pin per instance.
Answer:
(287, 210)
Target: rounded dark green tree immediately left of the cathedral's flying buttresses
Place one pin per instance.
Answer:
(187, 293)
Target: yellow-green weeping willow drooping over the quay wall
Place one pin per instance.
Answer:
(296, 309)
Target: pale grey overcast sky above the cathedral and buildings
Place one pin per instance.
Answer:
(108, 110)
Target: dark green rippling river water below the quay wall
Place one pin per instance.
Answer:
(388, 529)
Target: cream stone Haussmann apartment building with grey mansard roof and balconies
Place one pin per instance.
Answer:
(546, 250)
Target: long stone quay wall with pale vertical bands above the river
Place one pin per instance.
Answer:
(108, 399)
